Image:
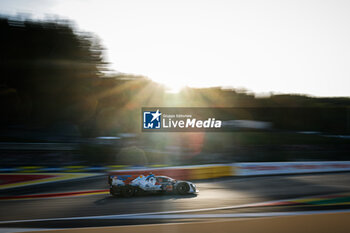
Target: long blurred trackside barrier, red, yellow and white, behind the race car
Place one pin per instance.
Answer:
(198, 172)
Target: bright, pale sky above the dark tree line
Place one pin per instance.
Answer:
(294, 46)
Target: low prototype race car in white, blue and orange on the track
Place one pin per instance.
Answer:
(129, 185)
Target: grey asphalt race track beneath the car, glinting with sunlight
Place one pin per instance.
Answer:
(217, 198)
